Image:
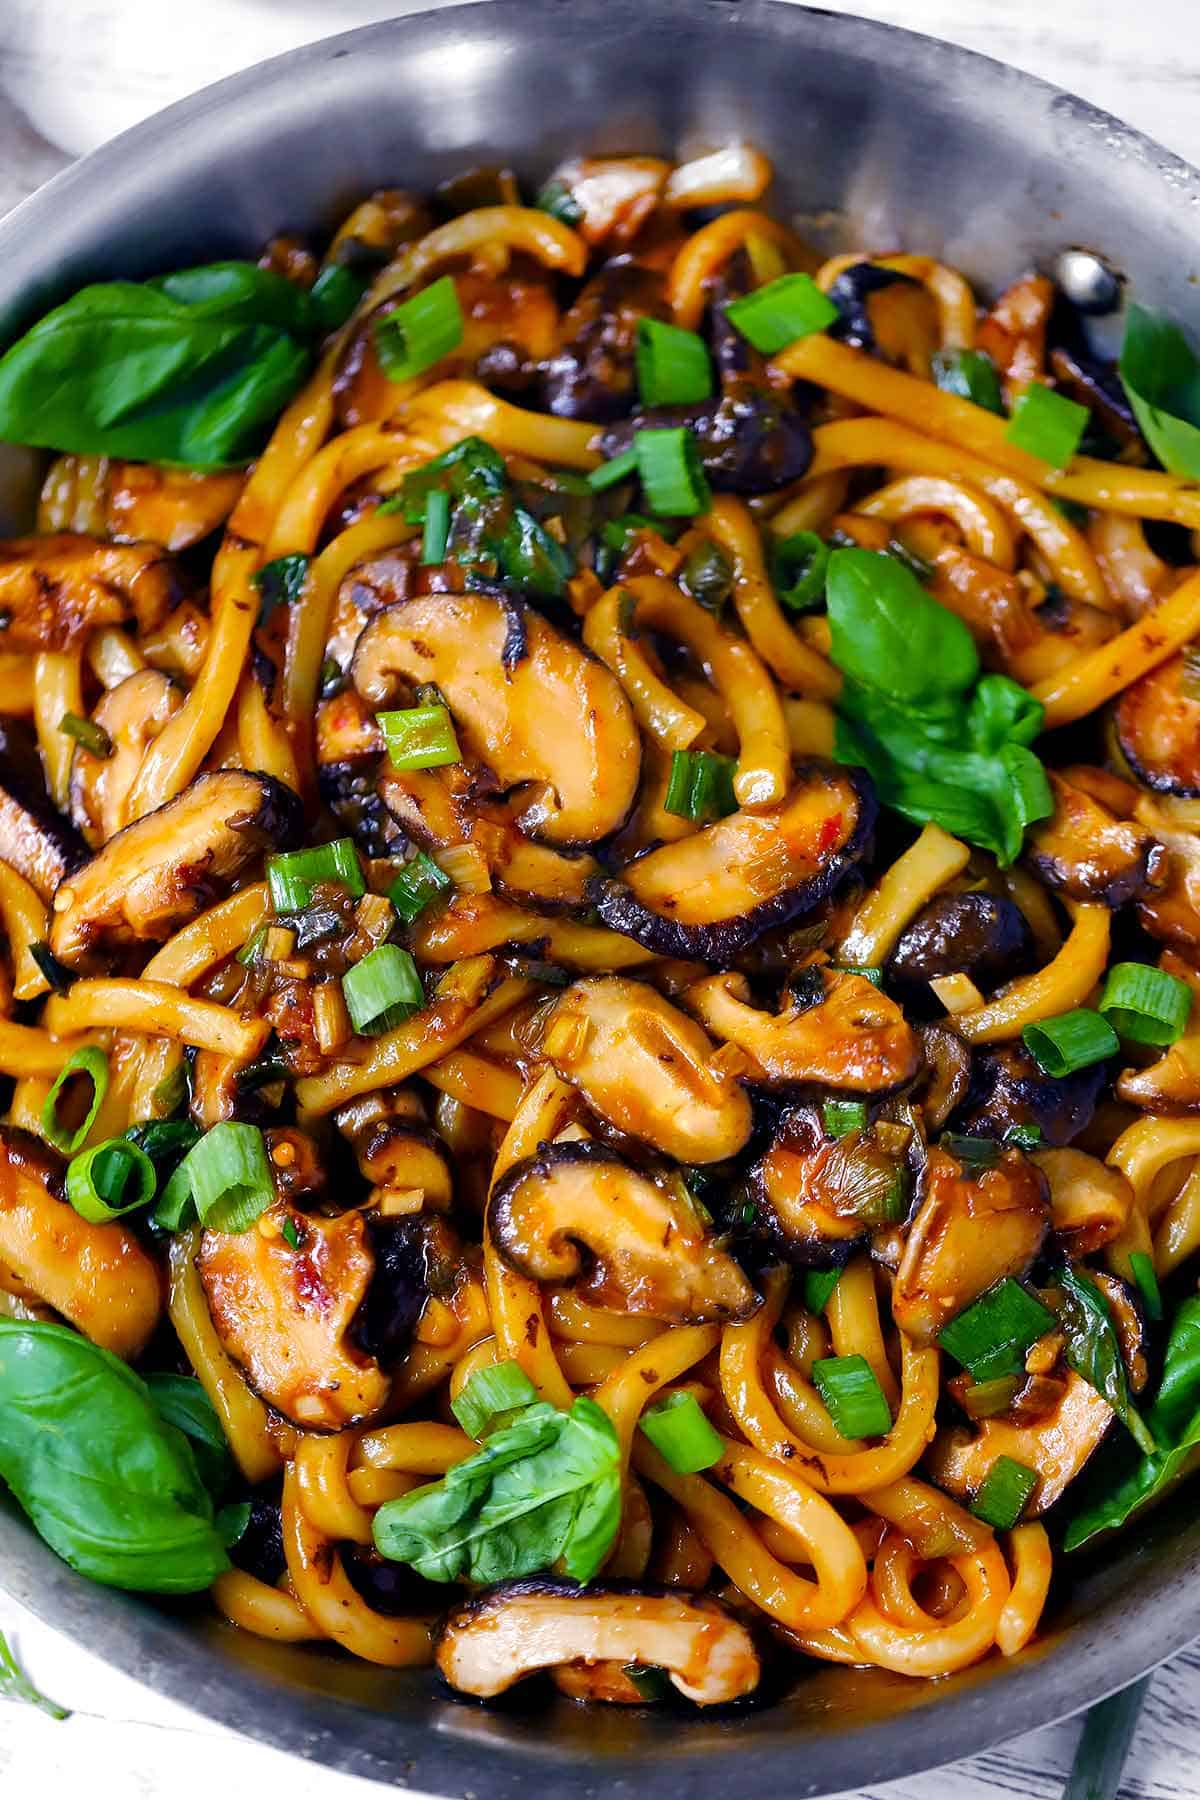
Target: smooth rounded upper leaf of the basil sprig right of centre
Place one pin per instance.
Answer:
(890, 634)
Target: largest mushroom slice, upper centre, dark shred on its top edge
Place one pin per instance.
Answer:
(528, 703)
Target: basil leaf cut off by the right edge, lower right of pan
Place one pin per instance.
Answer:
(1176, 1425)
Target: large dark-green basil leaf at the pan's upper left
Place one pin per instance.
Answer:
(192, 368)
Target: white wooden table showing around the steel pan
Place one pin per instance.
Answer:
(78, 71)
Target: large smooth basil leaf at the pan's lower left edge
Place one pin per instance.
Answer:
(107, 1482)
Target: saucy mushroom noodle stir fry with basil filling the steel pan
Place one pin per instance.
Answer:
(600, 868)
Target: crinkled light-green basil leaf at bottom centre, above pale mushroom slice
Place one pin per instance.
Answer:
(542, 1489)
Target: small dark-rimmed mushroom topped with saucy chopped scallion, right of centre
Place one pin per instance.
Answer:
(821, 1198)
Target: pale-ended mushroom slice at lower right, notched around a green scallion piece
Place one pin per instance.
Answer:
(1057, 1446)
